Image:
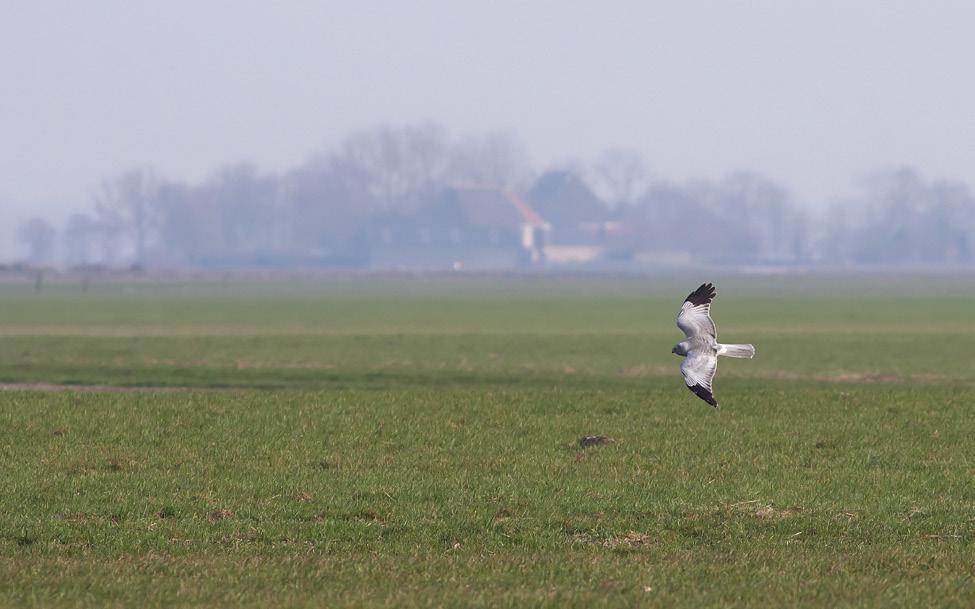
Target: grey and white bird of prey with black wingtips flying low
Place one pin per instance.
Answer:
(701, 348)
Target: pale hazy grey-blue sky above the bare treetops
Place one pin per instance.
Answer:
(811, 93)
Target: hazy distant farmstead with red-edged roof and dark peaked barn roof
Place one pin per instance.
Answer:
(559, 222)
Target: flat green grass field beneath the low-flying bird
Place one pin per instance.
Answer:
(413, 442)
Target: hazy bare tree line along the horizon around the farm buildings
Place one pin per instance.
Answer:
(320, 212)
